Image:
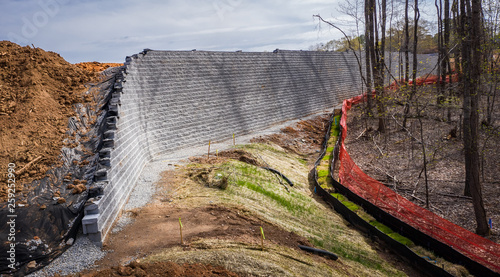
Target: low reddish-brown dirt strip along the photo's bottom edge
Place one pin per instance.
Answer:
(164, 269)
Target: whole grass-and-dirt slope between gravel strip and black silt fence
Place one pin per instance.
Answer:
(222, 203)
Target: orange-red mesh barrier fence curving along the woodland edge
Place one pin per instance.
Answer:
(477, 248)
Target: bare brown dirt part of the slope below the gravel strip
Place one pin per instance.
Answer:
(208, 226)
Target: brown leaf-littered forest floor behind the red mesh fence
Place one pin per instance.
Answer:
(395, 158)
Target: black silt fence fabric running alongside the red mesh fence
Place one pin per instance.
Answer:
(411, 257)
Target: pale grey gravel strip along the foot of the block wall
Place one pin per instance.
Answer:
(83, 254)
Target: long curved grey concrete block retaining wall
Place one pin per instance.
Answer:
(168, 100)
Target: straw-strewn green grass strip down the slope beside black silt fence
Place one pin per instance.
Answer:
(259, 192)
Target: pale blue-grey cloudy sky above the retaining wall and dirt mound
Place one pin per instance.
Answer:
(107, 31)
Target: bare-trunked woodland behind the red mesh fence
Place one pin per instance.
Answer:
(464, 35)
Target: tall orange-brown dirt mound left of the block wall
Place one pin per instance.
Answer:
(38, 90)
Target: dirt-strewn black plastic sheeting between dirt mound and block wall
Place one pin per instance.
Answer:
(42, 234)
